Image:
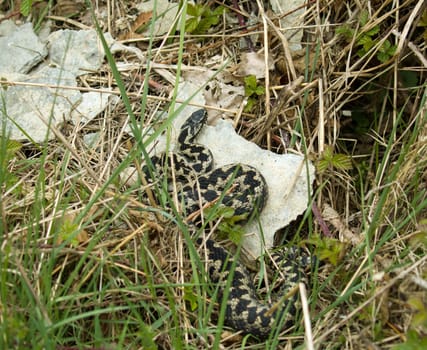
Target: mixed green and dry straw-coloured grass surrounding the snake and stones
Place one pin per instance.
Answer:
(88, 261)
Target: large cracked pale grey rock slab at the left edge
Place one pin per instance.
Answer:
(30, 112)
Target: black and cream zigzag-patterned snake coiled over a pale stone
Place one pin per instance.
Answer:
(243, 188)
